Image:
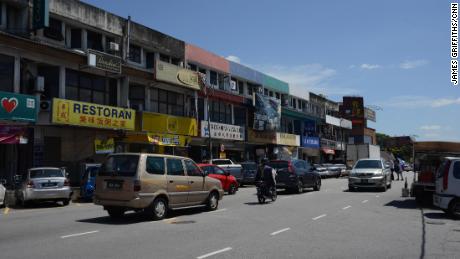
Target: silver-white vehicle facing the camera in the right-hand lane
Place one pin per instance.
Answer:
(370, 173)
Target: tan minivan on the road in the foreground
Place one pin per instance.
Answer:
(154, 184)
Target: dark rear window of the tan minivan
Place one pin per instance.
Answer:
(120, 165)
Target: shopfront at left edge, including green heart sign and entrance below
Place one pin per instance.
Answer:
(17, 113)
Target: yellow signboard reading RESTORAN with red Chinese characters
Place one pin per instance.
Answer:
(92, 115)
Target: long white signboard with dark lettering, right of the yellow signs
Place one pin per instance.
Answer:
(222, 131)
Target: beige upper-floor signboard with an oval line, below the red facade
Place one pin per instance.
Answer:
(173, 74)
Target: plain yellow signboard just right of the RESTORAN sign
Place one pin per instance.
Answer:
(168, 124)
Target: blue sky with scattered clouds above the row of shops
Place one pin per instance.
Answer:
(396, 54)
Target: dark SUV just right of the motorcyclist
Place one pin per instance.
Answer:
(295, 175)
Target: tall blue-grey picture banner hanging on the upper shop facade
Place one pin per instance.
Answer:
(267, 115)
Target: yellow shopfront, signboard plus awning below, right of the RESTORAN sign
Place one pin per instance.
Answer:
(162, 134)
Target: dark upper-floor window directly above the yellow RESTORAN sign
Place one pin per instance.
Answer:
(89, 88)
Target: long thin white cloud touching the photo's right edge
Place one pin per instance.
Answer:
(418, 101)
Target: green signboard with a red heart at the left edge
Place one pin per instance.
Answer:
(18, 107)
